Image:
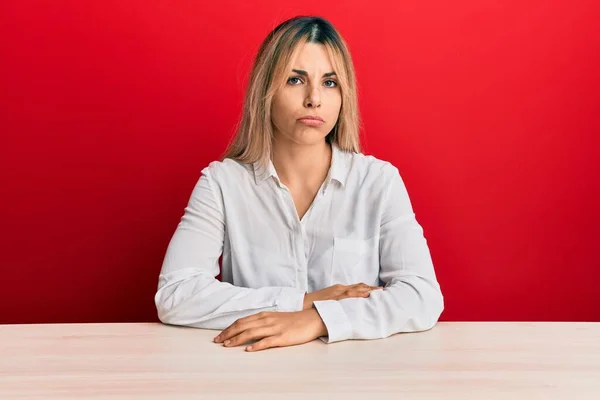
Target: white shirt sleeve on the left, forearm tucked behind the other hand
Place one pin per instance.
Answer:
(188, 292)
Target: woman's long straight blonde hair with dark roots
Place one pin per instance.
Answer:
(253, 139)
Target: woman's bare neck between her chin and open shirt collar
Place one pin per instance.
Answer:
(301, 164)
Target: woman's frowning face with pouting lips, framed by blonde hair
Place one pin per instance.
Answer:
(311, 89)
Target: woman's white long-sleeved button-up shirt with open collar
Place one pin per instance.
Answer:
(359, 228)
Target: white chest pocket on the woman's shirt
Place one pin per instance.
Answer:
(355, 260)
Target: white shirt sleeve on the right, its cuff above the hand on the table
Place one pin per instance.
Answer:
(412, 299)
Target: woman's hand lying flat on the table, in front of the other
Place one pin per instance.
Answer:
(276, 329)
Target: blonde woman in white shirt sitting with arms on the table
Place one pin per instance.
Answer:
(308, 227)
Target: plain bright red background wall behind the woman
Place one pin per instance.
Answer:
(110, 109)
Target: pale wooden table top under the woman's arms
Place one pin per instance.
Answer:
(454, 360)
